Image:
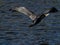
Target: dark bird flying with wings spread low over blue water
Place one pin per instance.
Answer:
(35, 18)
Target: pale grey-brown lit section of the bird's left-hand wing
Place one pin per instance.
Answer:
(26, 12)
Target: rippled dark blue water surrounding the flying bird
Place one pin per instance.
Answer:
(14, 28)
